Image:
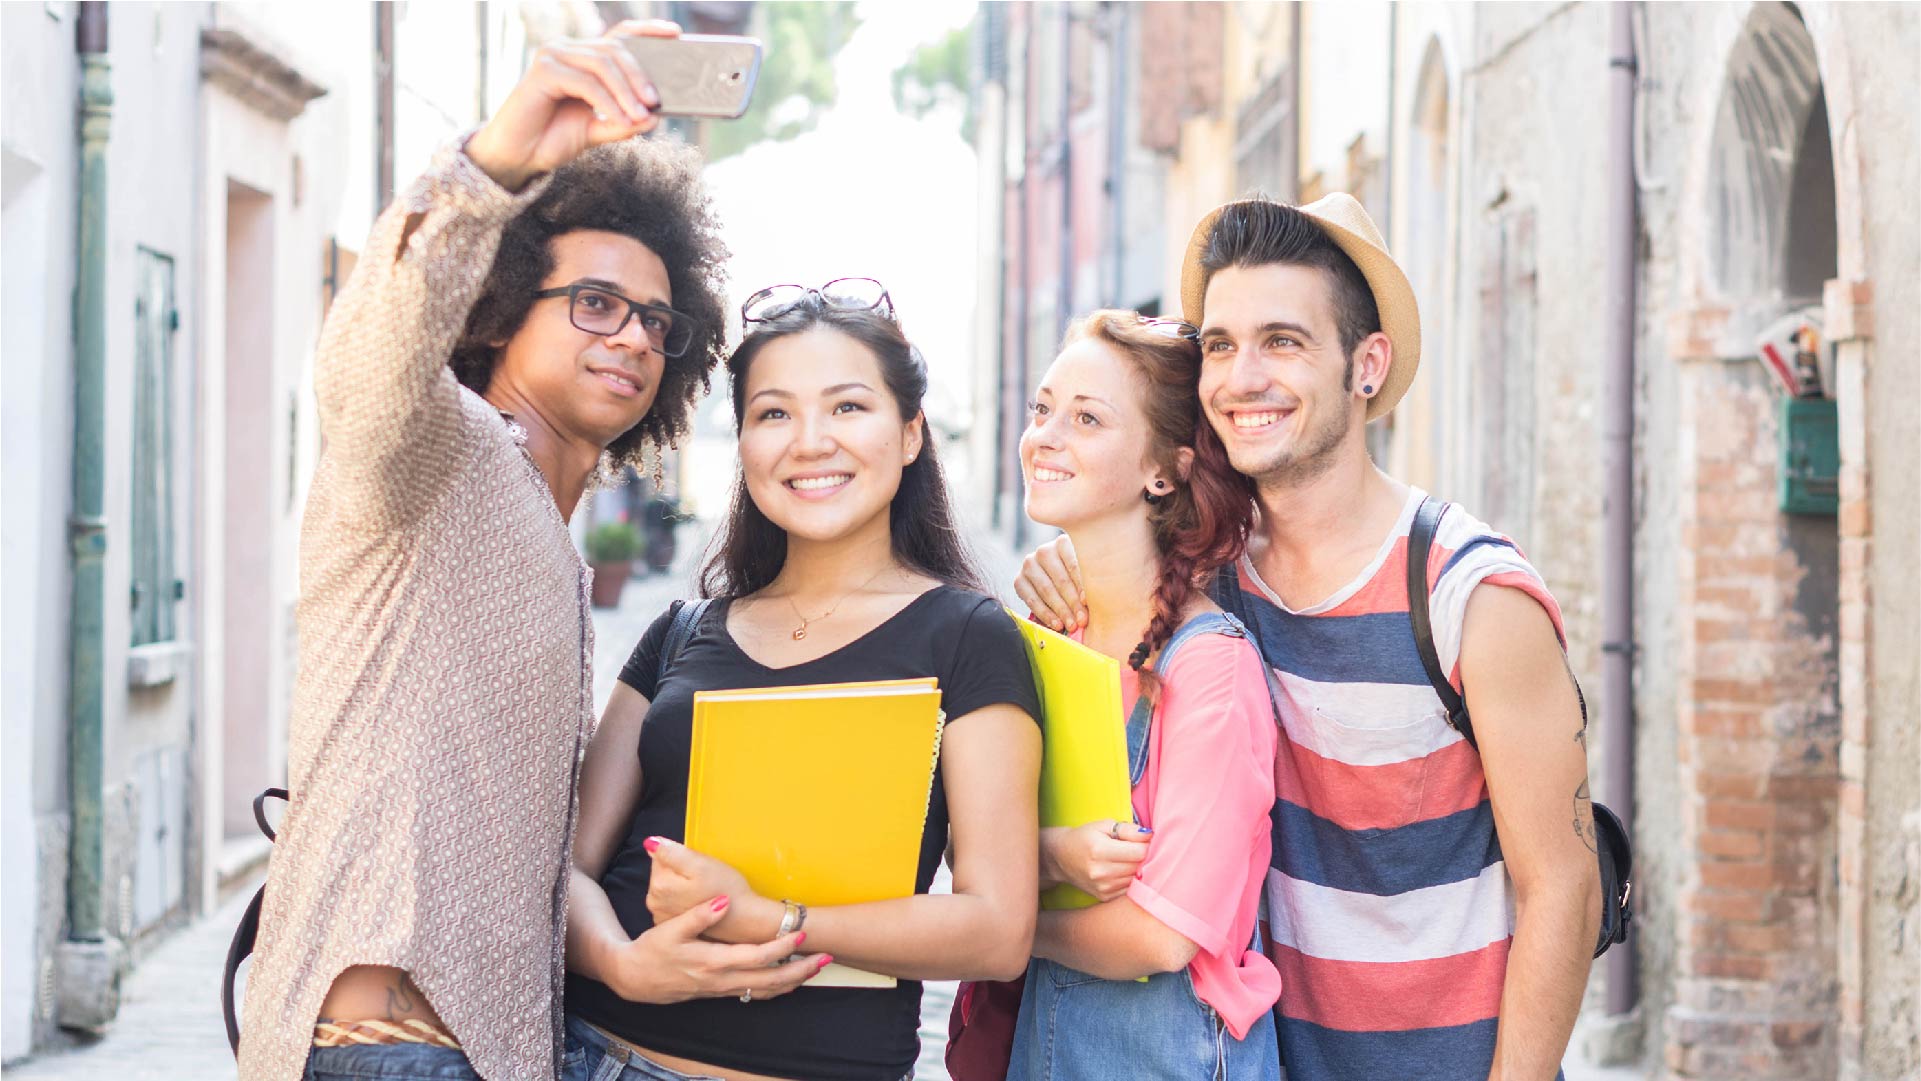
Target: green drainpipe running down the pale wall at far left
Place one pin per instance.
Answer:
(91, 961)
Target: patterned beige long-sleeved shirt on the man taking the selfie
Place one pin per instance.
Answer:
(445, 683)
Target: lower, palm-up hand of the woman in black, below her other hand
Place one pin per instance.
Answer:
(671, 963)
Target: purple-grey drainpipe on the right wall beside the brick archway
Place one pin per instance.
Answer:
(1618, 450)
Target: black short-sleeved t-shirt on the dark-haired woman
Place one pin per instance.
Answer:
(815, 1034)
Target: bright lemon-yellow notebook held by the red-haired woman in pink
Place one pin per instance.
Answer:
(1084, 761)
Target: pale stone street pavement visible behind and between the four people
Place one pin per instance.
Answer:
(170, 1026)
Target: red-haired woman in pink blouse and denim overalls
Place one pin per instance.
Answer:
(1119, 458)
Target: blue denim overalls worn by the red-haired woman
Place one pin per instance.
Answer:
(1082, 1028)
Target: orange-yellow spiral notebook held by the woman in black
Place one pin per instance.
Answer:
(817, 794)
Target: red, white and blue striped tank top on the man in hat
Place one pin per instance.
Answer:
(1390, 909)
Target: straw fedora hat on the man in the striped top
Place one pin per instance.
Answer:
(1348, 226)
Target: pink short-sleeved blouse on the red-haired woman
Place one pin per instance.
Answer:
(1207, 794)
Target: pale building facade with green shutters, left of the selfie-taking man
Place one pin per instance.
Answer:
(241, 149)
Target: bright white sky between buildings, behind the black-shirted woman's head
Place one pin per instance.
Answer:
(867, 193)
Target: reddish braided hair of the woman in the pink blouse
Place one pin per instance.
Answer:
(1204, 523)
